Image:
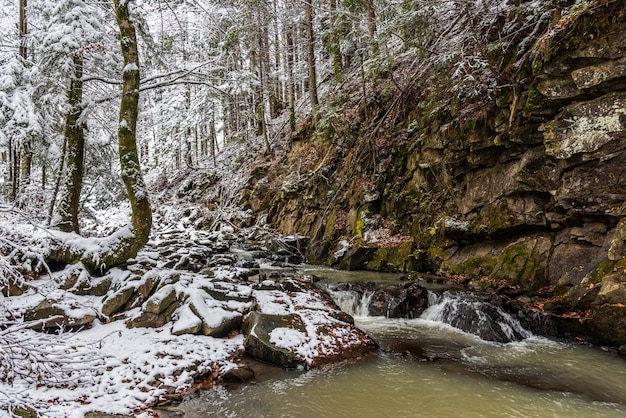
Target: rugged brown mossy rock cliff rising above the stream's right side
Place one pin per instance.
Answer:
(521, 187)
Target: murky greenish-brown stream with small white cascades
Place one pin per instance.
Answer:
(427, 368)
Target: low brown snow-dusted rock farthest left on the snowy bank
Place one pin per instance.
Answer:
(65, 314)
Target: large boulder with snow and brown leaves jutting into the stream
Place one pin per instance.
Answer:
(295, 324)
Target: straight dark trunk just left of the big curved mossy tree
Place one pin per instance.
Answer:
(75, 140)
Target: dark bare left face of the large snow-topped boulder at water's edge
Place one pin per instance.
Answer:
(257, 329)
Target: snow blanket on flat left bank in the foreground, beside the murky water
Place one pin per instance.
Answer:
(114, 369)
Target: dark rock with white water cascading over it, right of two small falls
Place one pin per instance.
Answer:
(469, 313)
